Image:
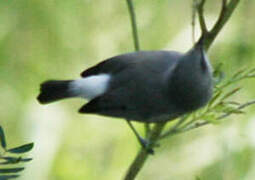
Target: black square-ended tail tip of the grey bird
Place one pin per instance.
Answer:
(54, 90)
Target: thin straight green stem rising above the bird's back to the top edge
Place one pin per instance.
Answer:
(133, 24)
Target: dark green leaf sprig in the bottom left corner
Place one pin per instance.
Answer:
(11, 161)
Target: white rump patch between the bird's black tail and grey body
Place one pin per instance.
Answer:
(90, 87)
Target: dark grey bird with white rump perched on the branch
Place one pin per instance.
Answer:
(145, 86)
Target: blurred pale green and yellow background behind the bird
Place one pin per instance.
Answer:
(57, 39)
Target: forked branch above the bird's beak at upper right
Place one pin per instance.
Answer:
(225, 14)
